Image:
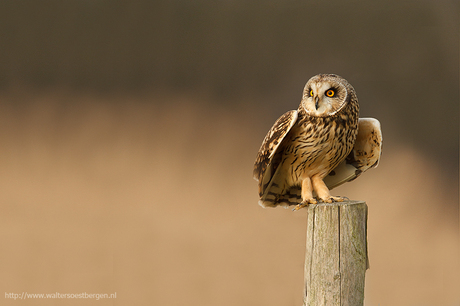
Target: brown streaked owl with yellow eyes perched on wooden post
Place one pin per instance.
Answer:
(317, 147)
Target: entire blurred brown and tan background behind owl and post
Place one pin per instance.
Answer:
(129, 129)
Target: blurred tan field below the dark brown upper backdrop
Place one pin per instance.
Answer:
(156, 202)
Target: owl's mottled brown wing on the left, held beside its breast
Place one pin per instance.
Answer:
(265, 167)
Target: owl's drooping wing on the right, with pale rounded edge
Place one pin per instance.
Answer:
(365, 154)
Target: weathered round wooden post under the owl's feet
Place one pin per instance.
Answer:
(336, 256)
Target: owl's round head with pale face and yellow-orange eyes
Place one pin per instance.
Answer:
(326, 94)
